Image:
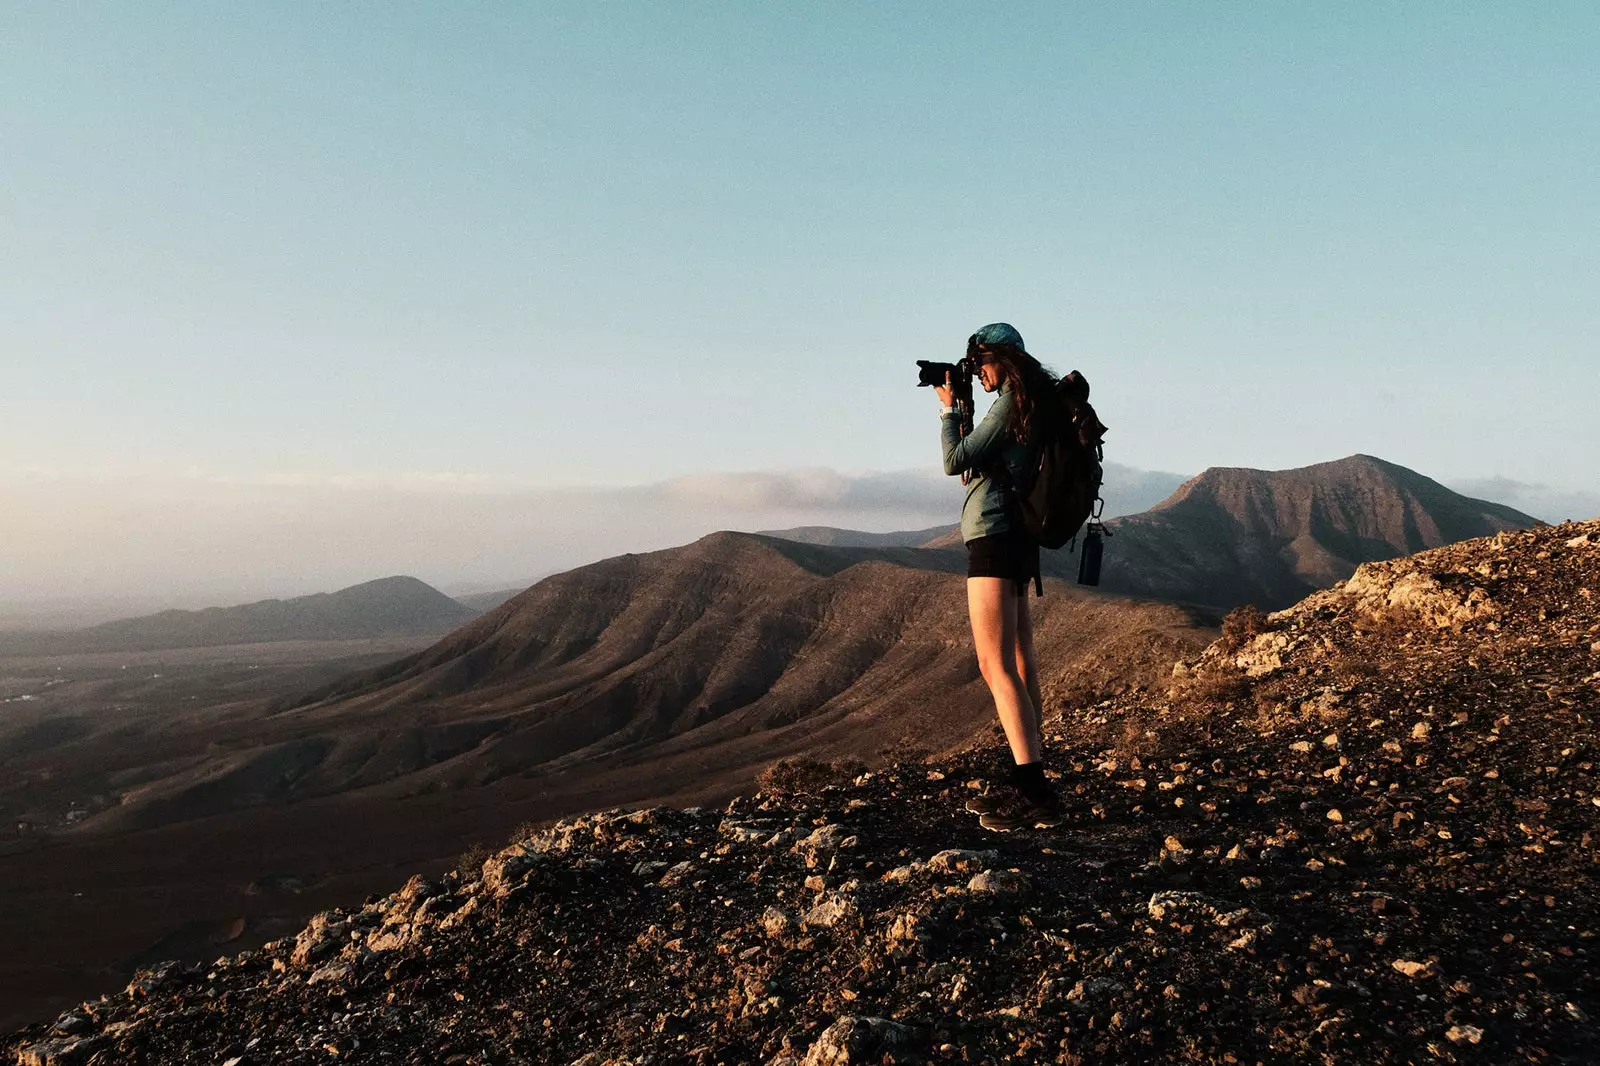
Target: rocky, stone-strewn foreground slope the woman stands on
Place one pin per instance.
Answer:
(1358, 832)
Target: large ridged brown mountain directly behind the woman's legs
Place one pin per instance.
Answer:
(681, 670)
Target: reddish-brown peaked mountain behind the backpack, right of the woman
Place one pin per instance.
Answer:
(1271, 537)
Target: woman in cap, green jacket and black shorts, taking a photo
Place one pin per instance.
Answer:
(998, 457)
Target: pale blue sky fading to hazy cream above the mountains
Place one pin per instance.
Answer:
(297, 292)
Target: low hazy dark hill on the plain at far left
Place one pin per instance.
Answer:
(375, 609)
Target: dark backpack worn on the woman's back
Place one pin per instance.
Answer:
(1068, 479)
